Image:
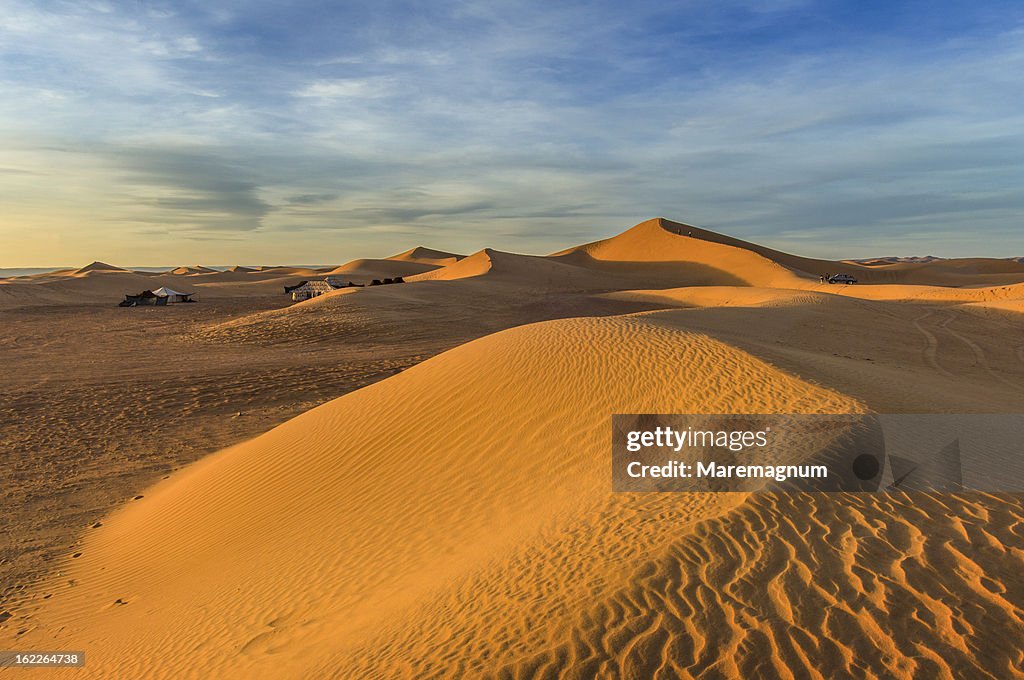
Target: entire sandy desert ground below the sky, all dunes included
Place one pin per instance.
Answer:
(412, 481)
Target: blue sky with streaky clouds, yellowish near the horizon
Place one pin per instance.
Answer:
(149, 133)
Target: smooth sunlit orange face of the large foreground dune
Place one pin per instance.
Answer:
(472, 490)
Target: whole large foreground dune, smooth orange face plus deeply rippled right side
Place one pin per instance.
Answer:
(485, 552)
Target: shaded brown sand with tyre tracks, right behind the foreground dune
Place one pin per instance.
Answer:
(895, 356)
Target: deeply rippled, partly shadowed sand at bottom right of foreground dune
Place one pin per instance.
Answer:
(797, 586)
